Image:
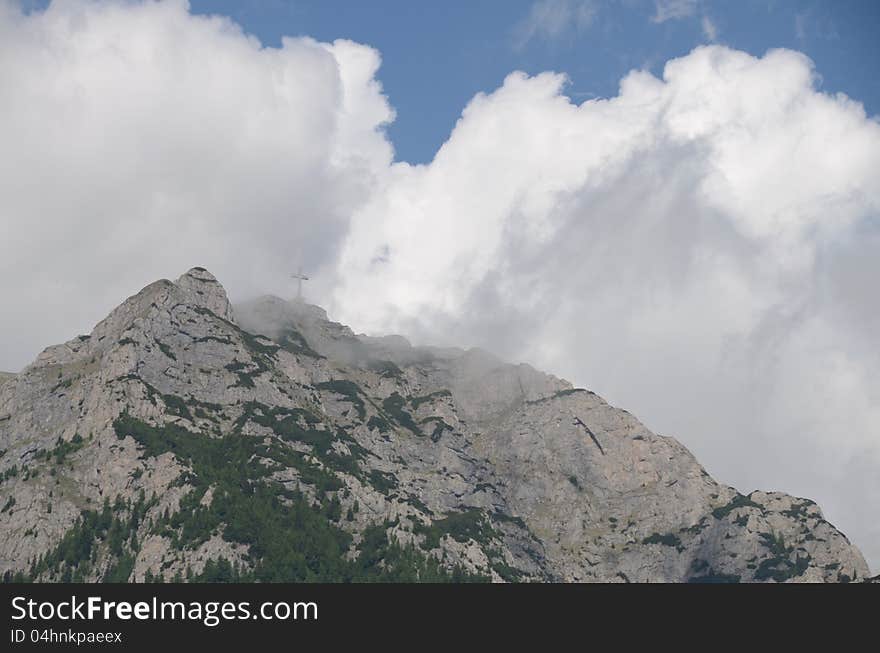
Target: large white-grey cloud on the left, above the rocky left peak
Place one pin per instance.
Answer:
(139, 140)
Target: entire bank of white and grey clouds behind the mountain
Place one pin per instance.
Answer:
(701, 249)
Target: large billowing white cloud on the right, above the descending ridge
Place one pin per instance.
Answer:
(700, 249)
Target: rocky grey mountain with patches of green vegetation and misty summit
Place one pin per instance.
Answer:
(185, 439)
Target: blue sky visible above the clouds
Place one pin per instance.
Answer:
(437, 55)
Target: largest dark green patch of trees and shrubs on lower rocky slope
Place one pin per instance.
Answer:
(289, 538)
